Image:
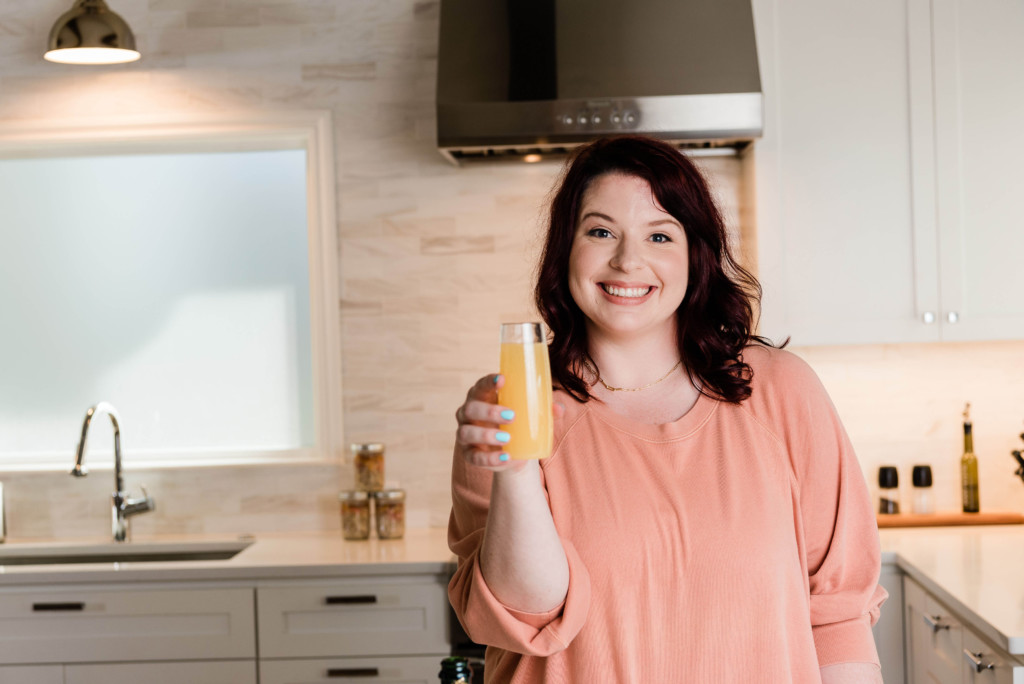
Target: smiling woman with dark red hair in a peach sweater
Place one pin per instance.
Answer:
(703, 517)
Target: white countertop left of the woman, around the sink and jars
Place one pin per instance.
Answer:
(271, 557)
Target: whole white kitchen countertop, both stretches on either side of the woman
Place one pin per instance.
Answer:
(978, 572)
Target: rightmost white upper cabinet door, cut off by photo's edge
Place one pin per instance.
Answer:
(979, 107)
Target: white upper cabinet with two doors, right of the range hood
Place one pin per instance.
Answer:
(881, 183)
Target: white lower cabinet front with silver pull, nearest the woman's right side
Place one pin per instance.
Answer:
(934, 639)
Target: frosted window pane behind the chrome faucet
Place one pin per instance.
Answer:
(175, 286)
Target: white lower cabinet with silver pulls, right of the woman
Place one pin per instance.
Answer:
(943, 650)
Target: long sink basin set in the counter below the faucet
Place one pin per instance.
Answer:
(110, 552)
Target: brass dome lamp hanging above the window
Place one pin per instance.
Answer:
(91, 34)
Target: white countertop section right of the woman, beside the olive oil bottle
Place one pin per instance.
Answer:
(977, 572)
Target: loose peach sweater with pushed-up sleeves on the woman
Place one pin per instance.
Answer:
(737, 544)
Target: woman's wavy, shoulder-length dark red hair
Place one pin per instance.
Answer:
(715, 321)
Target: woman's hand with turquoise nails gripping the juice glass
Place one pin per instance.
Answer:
(480, 440)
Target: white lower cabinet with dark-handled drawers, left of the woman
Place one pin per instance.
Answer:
(381, 629)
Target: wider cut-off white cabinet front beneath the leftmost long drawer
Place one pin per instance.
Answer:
(163, 673)
